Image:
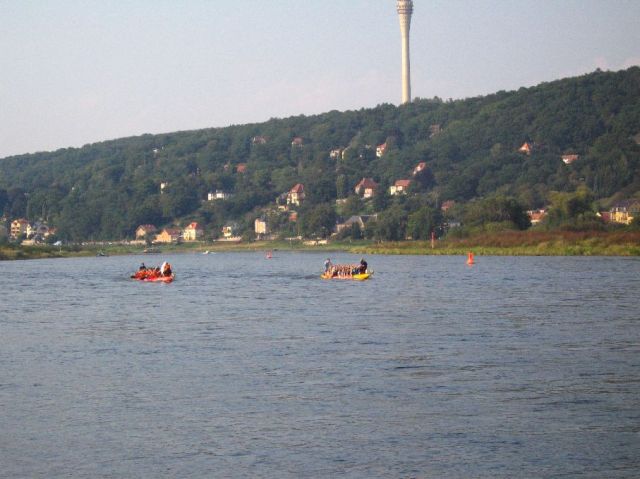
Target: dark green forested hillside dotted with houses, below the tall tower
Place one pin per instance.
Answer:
(105, 190)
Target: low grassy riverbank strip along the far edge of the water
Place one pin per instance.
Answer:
(512, 243)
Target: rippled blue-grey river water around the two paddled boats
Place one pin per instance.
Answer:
(253, 367)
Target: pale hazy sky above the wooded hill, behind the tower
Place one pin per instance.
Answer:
(75, 72)
